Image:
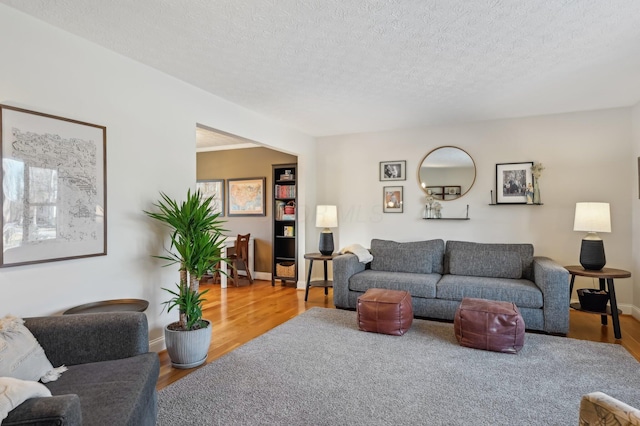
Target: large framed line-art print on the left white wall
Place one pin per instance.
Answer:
(54, 188)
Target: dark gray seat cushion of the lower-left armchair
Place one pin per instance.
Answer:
(116, 392)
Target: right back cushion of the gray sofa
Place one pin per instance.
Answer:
(485, 263)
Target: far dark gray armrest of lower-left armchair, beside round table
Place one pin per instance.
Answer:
(83, 338)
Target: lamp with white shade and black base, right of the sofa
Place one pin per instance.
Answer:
(593, 218)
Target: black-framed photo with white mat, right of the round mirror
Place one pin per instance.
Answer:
(513, 182)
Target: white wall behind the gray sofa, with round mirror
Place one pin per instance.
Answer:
(586, 156)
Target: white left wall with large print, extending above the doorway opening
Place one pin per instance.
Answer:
(150, 119)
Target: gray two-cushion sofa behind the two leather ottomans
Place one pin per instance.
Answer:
(439, 276)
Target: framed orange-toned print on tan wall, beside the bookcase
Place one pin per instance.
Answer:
(246, 197)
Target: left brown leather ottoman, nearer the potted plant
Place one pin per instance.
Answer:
(385, 311)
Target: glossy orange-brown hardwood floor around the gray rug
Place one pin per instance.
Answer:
(240, 314)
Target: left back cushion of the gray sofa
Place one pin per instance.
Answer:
(401, 260)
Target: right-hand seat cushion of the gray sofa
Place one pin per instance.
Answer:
(524, 293)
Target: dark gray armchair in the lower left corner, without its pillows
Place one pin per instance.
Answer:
(111, 375)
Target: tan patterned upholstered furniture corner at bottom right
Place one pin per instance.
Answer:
(598, 408)
